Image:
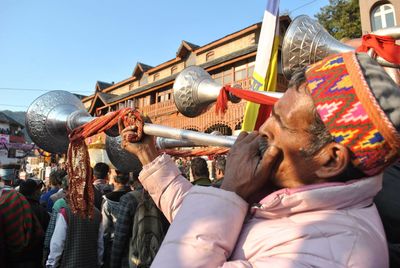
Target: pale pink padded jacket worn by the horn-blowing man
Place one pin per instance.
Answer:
(323, 225)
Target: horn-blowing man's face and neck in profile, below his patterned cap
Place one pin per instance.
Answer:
(287, 128)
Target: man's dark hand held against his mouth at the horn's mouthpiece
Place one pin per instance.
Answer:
(247, 172)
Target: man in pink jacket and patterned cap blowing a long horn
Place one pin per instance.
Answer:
(305, 199)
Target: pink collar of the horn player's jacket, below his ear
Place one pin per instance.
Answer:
(323, 196)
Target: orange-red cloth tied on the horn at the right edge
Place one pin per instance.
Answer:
(384, 46)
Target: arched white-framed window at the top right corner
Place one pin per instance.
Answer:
(383, 16)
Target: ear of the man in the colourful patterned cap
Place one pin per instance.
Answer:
(333, 160)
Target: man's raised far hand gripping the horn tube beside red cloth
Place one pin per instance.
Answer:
(145, 149)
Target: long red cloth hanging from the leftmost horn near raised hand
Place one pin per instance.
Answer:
(81, 193)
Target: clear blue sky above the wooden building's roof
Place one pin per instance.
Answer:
(69, 45)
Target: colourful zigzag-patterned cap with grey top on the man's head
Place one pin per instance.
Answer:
(360, 106)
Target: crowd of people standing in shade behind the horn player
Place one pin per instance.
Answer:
(56, 237)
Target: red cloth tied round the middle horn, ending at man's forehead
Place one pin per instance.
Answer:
(253, 96)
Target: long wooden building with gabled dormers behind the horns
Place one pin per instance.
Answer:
(230, 60)
